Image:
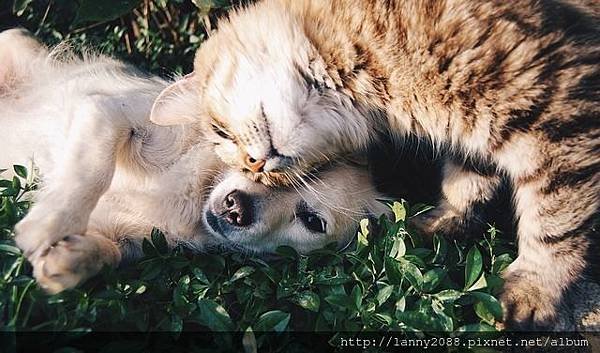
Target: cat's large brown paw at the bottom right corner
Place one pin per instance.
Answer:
(528, 305)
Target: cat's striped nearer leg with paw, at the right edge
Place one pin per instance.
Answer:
(558, 219)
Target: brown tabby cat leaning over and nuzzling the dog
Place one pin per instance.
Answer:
(511, 85)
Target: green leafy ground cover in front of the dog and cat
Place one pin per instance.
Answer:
(391, 280)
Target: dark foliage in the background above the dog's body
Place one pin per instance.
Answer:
(158, 35)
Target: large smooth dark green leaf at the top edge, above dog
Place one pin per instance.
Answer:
(107, 10)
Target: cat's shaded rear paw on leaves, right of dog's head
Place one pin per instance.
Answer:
(443, 220)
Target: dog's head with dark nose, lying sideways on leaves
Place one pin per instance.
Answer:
(249, 216)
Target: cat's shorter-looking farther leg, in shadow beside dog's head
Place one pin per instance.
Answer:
(462, 189)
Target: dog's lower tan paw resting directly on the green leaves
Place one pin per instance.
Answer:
(72, 260)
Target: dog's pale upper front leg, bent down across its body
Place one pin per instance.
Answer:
(71, 190)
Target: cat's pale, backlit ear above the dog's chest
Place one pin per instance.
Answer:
(177, 104)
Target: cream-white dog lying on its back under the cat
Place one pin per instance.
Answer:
(108, 175)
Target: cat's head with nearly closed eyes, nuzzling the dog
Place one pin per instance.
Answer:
(264, 98)
